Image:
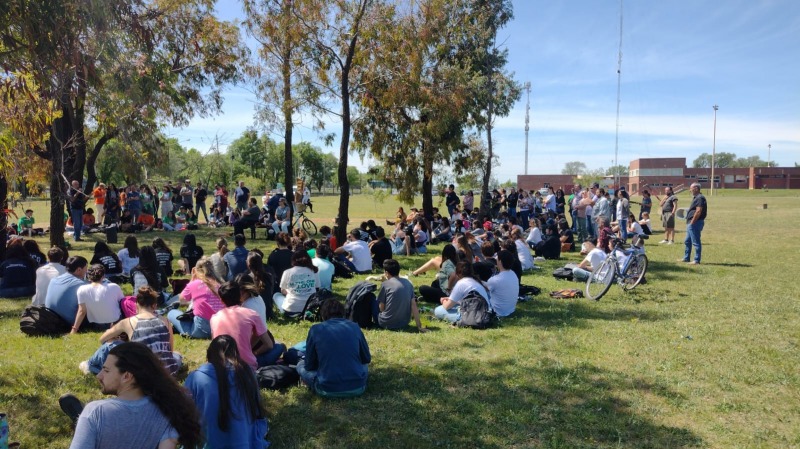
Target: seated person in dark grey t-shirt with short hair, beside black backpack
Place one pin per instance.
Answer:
(395, 303)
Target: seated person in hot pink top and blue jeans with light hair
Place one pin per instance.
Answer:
(202, 293)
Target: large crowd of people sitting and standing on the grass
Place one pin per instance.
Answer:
(232, 294)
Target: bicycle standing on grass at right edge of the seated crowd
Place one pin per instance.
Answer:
(628, 273)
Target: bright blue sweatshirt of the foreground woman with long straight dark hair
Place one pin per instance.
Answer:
(242, 432)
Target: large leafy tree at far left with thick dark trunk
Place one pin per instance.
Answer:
(128, 64)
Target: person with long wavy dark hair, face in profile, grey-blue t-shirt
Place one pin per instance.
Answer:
(150, 408)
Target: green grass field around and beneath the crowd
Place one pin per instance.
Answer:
(702, 356)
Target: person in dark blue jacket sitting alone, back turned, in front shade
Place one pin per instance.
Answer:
(336, 355)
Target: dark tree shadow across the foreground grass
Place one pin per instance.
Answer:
(493, 404)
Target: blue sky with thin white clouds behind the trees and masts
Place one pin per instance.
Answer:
(679, 59)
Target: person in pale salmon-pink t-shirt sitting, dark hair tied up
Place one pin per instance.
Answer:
(256, 345)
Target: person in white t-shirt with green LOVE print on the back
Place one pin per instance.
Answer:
(297, 284)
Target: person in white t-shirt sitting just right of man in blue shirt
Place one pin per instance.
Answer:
(98, 301)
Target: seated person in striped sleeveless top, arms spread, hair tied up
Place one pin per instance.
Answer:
(145, 327)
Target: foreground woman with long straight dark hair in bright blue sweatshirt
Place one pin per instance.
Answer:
(226, 392)
